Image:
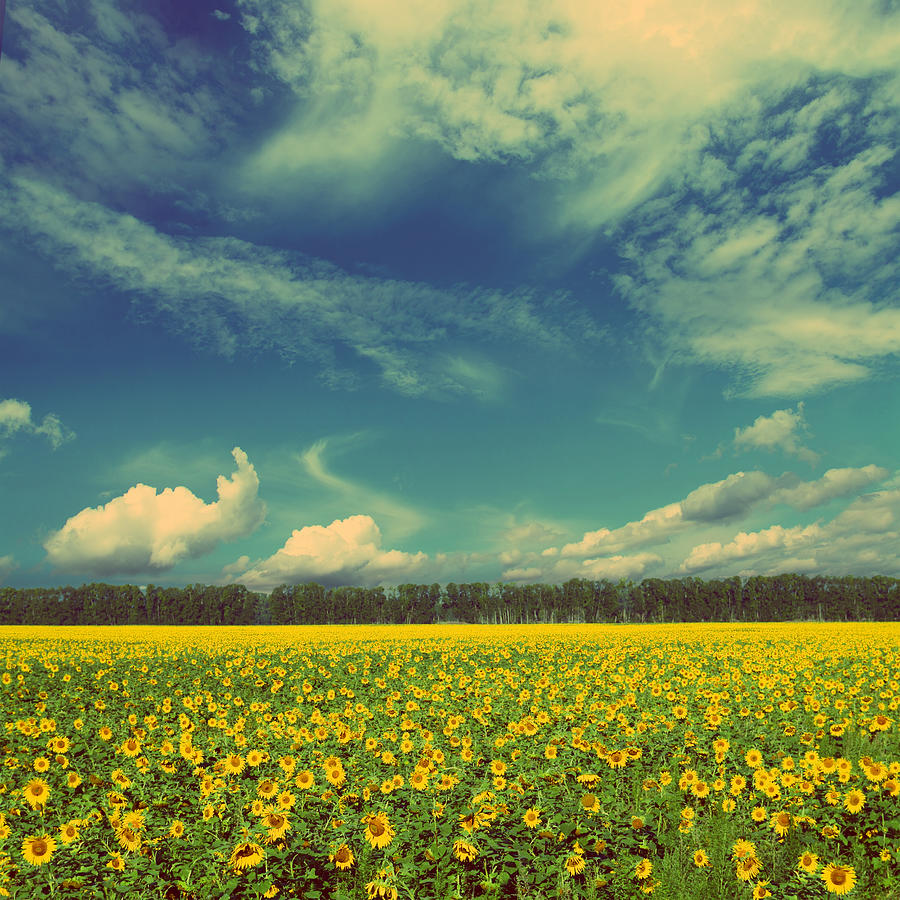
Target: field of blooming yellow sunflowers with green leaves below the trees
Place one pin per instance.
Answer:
(439, 762)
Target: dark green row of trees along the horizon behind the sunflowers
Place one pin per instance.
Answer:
(759, 598)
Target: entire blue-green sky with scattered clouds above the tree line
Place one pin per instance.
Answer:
(371, 292)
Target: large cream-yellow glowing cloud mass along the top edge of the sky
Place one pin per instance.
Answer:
(604, 103)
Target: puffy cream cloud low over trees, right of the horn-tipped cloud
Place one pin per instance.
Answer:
(346, 552)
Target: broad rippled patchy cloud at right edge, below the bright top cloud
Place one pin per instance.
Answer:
(774, 257)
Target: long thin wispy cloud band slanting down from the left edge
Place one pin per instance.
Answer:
(232, 296)
